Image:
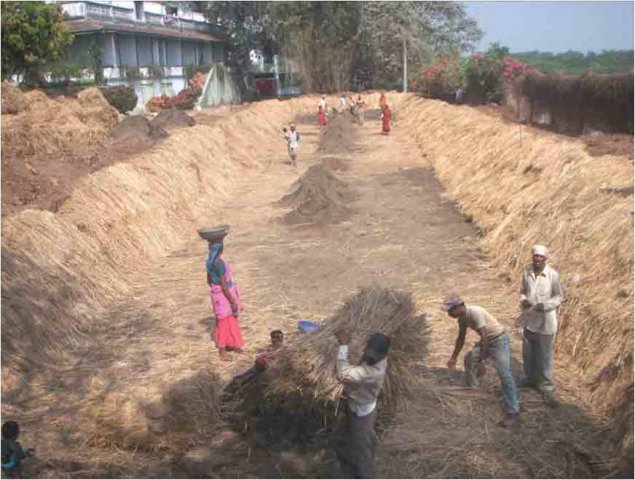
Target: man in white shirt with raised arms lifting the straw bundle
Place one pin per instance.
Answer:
(354, 432)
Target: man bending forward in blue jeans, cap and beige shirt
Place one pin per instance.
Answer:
(494, 345)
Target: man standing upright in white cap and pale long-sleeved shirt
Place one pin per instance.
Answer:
(540, 298)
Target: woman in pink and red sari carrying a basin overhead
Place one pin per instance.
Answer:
(225, 299)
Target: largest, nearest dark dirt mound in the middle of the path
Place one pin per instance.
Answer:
(318, 197)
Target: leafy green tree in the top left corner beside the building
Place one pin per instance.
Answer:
(33, 35)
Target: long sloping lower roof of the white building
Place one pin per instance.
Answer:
(90, 26)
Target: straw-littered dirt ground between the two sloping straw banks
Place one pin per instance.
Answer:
(401, 233)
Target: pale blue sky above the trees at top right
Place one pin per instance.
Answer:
(555, 26)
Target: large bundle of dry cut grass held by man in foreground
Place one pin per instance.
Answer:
(307, 368)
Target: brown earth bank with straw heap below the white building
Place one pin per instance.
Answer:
(49, 145)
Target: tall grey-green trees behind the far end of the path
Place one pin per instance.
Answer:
(332, 43)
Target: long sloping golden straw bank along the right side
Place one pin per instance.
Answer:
(524, 187)
